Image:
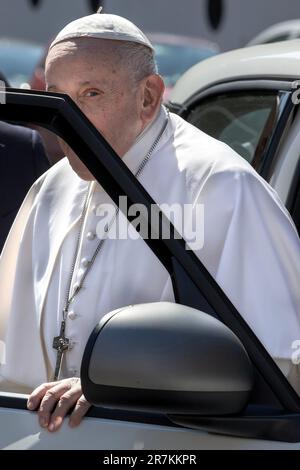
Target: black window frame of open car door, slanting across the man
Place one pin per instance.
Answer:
(193, 285)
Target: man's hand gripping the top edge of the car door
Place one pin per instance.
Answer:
(53, 400)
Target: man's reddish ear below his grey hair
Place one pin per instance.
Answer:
(152, 95)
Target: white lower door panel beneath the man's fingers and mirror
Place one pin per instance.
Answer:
(22, 432)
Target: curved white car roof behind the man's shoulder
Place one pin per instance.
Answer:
(279, 60)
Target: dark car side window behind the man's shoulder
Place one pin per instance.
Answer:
(244, 121)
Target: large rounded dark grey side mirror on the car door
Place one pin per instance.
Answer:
(167, 358)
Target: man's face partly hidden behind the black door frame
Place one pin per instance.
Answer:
(86, 70)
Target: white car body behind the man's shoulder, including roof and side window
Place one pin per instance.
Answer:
(249, 99)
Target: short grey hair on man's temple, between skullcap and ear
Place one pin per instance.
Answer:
(138, 59)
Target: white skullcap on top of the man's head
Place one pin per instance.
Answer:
(103, 26)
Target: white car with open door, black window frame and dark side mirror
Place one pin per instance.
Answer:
(224, 391)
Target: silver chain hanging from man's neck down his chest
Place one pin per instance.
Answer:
(138, 172)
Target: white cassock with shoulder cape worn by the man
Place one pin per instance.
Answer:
(250, 247)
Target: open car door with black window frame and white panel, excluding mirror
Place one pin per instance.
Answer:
(272, 418)
